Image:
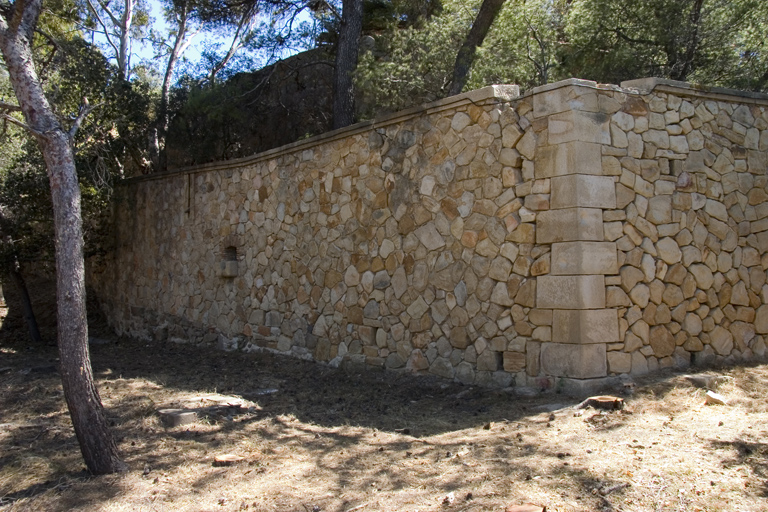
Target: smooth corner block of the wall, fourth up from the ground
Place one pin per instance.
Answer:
(569, 258)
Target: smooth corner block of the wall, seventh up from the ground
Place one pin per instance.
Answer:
(568, 158)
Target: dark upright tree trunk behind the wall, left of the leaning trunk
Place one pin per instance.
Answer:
(346, 62)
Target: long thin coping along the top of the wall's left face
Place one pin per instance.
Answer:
(479, 96)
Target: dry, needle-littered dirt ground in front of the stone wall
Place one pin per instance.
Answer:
(315, 439)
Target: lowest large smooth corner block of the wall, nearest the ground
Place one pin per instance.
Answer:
(575, 361)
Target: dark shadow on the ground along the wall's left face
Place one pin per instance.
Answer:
(422, 405)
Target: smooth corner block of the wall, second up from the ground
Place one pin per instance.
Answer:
(585, 326)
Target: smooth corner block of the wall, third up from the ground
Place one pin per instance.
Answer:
(570, 292)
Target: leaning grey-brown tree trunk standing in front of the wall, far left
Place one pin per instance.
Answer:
(99, 450)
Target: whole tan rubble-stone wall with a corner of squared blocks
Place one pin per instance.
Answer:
(554, 239)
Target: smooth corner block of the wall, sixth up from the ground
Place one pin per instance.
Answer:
(578, 190)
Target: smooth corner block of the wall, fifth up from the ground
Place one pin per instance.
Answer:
(569, 224)
